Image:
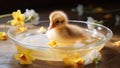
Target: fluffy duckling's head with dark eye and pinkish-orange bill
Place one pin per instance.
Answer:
(58, 19)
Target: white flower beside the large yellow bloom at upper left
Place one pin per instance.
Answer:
(32, 16)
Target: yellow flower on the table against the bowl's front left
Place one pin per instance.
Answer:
(24, 55)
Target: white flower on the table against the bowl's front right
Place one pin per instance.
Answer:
(91, 56)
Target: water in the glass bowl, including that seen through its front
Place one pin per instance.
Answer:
(39, 43)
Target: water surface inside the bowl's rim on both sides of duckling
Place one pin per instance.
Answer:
(41, 40)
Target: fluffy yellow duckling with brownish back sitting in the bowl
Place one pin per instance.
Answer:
(61, 31)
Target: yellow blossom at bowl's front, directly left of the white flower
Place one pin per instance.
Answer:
(72, 59)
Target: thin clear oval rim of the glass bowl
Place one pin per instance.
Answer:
(108, 37)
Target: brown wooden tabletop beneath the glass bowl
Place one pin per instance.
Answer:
(110, 53)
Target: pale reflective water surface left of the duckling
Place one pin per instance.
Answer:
(34, 39)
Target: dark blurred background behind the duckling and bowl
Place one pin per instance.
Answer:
(44, 7)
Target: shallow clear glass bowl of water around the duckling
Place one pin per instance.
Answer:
(53, 56)
